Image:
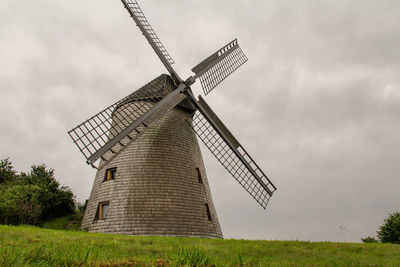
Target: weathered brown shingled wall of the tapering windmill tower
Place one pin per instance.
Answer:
(157, 189)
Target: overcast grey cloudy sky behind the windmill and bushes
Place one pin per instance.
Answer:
(317, 105)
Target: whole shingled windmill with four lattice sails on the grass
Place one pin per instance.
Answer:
(151, 178)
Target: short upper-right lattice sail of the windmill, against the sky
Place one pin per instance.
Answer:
(219, 66)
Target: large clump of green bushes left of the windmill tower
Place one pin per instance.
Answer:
(34, 197)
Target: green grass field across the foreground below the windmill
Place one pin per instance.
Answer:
(32, 246)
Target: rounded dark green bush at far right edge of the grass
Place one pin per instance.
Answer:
(389, 232)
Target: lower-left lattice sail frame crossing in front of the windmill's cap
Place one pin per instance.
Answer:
(93, 134)
